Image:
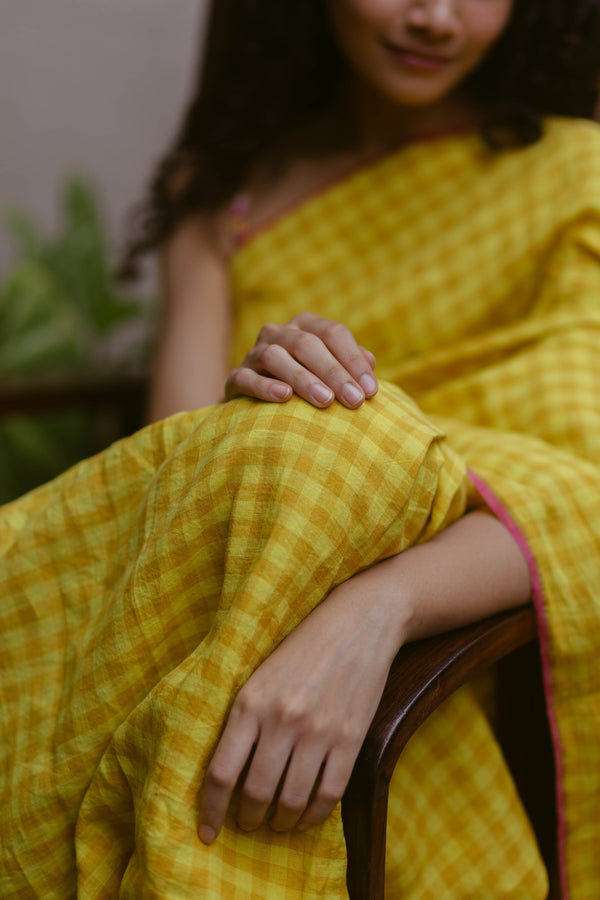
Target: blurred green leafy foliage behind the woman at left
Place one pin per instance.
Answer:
(60, 311)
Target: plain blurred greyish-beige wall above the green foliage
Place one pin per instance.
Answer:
(90, 85)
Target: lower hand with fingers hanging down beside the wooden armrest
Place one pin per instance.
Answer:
(300, 719)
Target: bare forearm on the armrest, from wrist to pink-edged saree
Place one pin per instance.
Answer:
(471, 570)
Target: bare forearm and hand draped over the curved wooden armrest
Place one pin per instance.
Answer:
(303, 715)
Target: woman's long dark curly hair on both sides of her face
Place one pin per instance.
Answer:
(271, 65)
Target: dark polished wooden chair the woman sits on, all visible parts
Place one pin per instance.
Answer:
(422, 676)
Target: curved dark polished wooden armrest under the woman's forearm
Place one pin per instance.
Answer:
(421, 677)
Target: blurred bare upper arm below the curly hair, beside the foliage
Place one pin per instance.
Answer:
(191, 362)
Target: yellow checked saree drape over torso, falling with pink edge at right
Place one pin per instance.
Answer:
(474, 278)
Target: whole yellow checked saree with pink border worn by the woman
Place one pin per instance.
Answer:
(140, 589)
